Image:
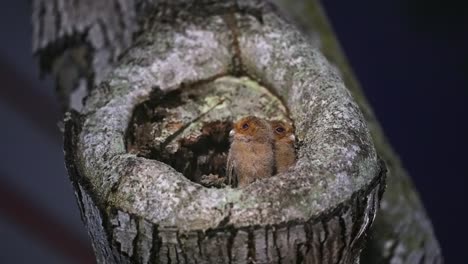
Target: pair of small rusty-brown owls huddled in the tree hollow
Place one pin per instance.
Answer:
(259, 148)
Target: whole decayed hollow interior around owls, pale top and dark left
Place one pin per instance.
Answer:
(189, 128)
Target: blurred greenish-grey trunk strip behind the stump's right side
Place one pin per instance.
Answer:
(402, 232)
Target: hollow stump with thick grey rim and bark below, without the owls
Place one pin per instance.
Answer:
(197, 73)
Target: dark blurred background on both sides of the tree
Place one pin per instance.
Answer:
(411, 57)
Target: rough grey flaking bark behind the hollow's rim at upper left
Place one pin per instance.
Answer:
(78, 42)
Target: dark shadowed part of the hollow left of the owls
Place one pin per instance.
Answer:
(200, 156)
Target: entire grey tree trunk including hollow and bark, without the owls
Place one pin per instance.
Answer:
(317, 213)
